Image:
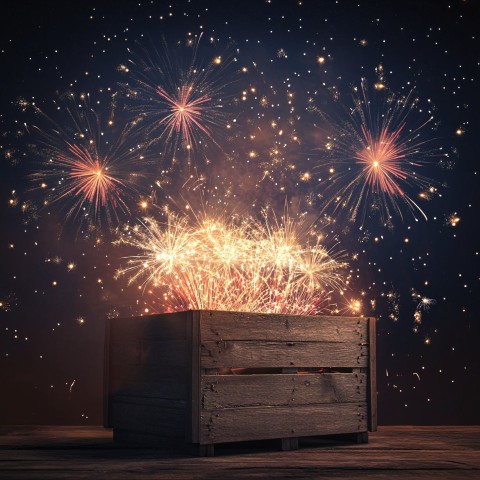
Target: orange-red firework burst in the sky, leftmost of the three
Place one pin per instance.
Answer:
(90, 170)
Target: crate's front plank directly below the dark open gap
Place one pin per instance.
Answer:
(230, 391)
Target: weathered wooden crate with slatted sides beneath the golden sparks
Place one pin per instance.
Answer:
(208, 377)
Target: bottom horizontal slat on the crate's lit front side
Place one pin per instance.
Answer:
(237, 424)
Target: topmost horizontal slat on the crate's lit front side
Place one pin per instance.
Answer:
(217, 325)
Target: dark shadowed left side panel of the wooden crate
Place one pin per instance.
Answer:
(148, 374)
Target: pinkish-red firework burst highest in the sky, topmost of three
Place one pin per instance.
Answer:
(180, 103)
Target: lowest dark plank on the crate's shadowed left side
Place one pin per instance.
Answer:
(149, 419)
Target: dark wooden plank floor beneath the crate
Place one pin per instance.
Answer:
(56, 452)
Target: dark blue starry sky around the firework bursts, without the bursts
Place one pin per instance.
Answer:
(52, 314)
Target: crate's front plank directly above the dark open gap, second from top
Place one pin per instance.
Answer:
(251, 354)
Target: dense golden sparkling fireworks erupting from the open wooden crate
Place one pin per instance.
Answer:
(239, 264)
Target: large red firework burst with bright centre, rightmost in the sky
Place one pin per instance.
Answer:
(374, 159)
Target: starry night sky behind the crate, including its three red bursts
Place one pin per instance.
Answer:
(291, 104)
